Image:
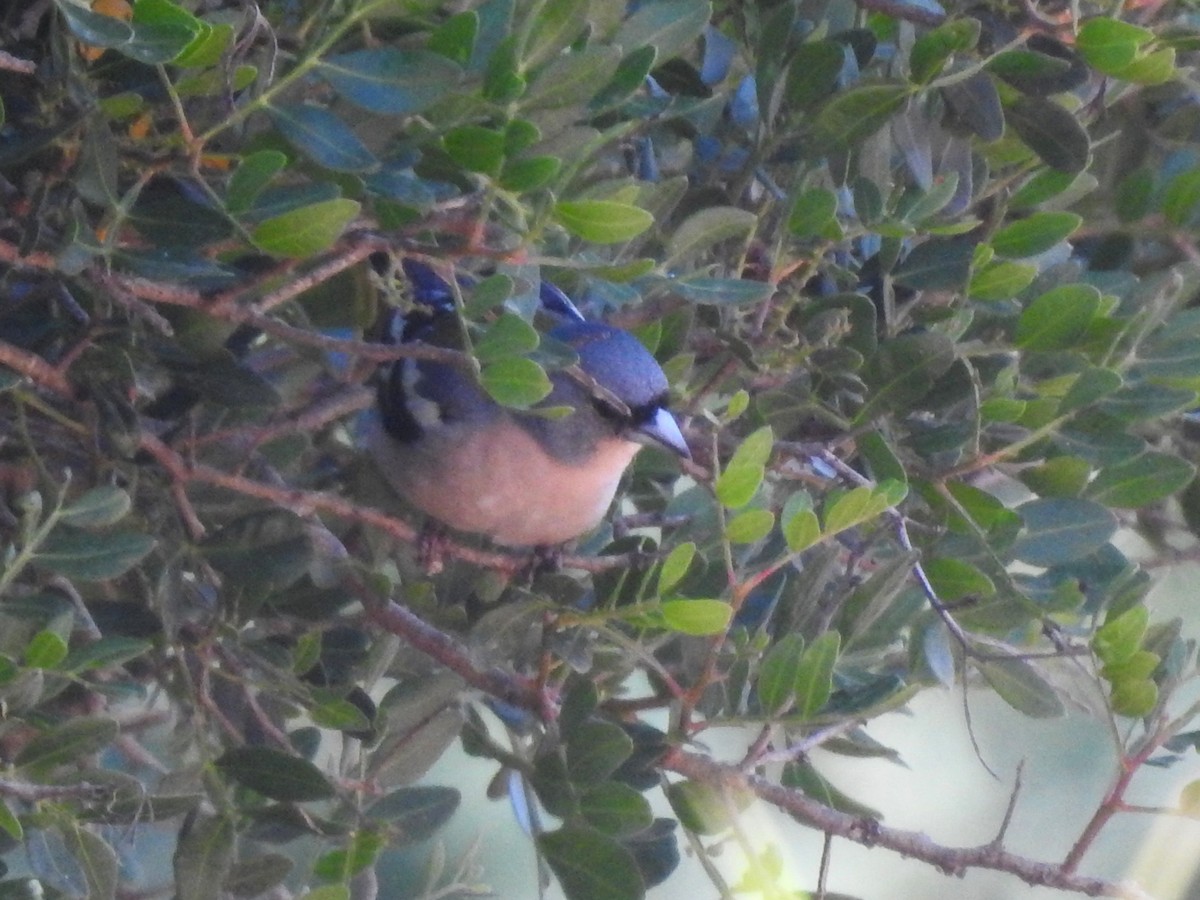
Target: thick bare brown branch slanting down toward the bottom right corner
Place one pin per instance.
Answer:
(869, 833)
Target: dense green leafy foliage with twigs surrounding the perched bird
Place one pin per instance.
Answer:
(922, 281)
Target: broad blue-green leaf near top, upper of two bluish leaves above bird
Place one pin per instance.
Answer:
(389, 81)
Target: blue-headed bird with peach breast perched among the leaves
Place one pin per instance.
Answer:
(519, 478)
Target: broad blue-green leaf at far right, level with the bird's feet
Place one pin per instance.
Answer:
(1063, 530)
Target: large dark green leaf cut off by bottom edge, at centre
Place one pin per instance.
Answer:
(591, 866)
